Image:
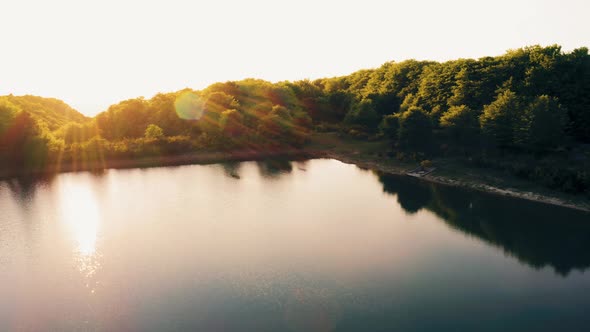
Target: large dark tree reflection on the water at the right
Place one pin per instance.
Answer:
(536, 234)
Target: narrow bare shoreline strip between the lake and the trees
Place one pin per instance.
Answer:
(372, 163)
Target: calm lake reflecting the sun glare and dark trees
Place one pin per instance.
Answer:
(312, 245)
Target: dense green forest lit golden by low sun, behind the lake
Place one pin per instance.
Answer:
(526, 112)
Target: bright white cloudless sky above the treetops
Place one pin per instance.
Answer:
(95, 53)
